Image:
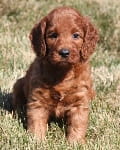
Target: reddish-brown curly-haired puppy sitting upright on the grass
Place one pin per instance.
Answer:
(58, 82)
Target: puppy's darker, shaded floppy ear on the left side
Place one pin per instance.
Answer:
(37, 38)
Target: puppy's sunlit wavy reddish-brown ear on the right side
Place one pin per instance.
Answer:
(90, 40)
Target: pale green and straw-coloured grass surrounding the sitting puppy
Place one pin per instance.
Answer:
(16, 20)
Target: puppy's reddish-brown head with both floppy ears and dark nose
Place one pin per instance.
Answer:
(64, 36)
